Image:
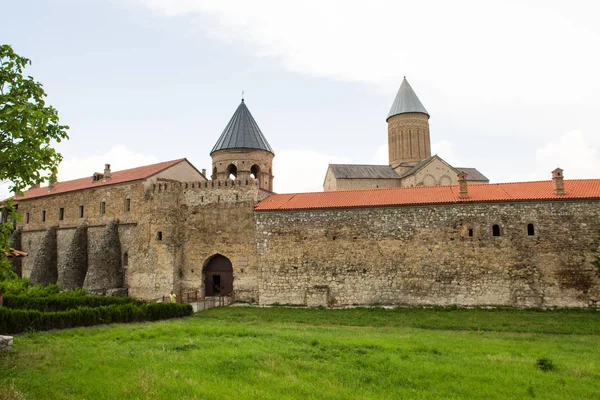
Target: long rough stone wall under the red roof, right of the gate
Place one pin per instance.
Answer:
(424, 255)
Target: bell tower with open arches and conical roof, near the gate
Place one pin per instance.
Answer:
(242, 152)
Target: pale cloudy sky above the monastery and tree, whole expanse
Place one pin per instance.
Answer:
(511, 86)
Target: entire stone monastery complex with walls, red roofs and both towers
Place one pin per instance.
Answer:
(414, 240)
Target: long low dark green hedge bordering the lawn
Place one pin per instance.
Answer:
(21, 320)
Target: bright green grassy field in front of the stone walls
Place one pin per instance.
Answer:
(280, 353)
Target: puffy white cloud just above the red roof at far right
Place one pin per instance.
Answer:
(571, 152)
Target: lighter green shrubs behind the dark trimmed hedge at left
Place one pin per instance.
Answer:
(63, 301)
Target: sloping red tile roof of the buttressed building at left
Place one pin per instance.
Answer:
(126, 175)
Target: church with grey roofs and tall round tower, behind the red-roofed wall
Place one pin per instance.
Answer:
(410, 160)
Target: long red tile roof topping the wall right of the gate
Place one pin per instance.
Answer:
(498, 192)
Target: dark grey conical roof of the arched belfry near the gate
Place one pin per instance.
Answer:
(242, 132)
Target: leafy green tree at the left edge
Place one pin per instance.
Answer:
(28, 129)
